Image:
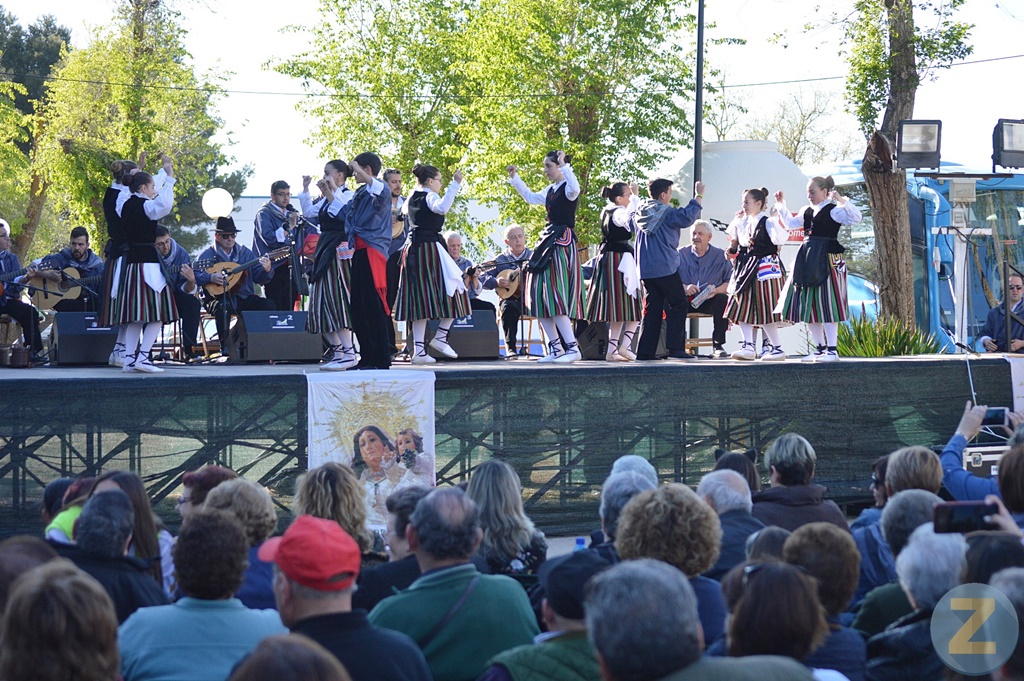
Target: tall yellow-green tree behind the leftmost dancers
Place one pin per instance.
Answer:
(131, 91)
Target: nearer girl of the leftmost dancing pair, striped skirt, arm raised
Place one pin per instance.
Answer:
(144, 301)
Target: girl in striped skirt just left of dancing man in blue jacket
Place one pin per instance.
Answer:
(615, 296)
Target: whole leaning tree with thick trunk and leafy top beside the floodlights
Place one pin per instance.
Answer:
(890, 52)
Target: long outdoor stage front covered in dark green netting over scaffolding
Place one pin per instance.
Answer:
(562, 427)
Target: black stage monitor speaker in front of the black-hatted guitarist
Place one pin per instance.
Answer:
(261, 336)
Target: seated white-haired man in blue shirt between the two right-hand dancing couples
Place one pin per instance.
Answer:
(701, 266)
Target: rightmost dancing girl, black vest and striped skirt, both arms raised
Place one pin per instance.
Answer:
(817, 291)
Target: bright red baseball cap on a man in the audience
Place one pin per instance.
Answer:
(317, 554)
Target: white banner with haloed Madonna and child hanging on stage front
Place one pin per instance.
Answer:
(379, 423)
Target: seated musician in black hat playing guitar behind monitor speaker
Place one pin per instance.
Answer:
(244, 300)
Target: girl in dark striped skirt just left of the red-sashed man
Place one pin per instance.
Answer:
(329, 282)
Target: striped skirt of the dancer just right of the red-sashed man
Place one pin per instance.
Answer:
(421, 288)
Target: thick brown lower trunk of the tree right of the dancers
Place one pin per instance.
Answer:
(887, 196)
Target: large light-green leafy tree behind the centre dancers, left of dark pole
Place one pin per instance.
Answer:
(482, 84)
